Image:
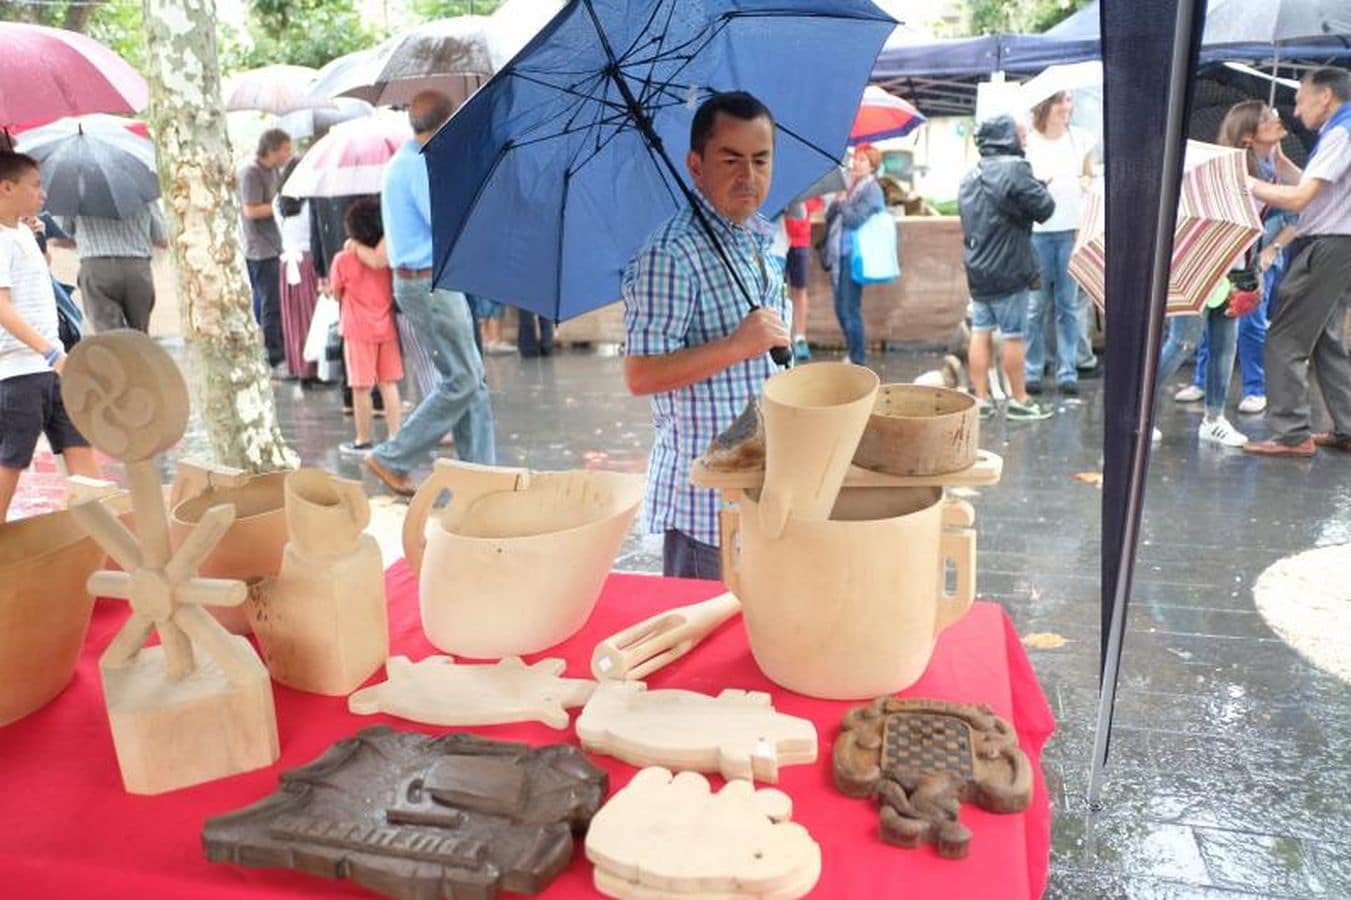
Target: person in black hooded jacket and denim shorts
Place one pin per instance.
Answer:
(999, 202)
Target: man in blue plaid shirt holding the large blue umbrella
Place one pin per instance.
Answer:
(691, 345)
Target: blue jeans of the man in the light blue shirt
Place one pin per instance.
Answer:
(460, 403)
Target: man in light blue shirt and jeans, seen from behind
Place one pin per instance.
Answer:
(442, 318)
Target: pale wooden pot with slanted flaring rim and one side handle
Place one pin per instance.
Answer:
(517, 561)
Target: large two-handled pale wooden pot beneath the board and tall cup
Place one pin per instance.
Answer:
(852, 609)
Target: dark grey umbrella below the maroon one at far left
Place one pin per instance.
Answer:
(94, 171)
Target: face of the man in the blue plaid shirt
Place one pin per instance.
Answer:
(736, 168)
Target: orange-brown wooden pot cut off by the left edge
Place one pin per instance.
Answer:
(45, 609)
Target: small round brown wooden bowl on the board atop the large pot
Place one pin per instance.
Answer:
(917, 430)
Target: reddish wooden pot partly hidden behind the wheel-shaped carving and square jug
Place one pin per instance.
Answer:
(252, 548)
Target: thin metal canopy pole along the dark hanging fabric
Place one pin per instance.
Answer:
(1180, 82)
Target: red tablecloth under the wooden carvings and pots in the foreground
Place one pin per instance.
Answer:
(70, 830)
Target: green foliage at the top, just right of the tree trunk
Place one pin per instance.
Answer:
(303, 33)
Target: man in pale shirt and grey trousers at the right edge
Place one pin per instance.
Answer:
(1318, 283)
